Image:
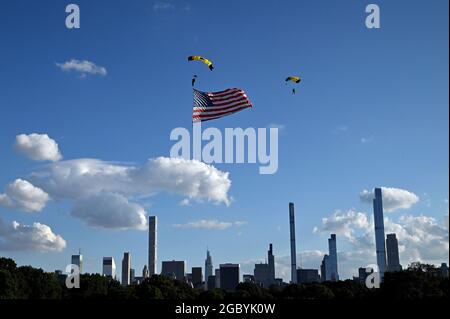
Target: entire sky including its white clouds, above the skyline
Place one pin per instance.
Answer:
(88, 113)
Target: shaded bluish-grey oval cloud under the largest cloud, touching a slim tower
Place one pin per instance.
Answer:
(111, 211)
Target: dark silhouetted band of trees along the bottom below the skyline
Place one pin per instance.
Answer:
(418, 282)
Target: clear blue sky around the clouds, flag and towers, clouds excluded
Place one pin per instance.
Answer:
(371, 110)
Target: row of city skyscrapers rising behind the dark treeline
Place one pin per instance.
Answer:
(264, 273)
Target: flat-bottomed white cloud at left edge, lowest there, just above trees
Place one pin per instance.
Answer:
(37, 237)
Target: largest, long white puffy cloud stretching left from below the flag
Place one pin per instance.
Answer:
(83, 177)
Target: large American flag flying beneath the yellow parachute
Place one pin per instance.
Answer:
(212, 105)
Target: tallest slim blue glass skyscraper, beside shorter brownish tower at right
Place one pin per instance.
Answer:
(379, 231)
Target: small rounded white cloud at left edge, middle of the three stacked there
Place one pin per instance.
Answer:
(23, 195)
